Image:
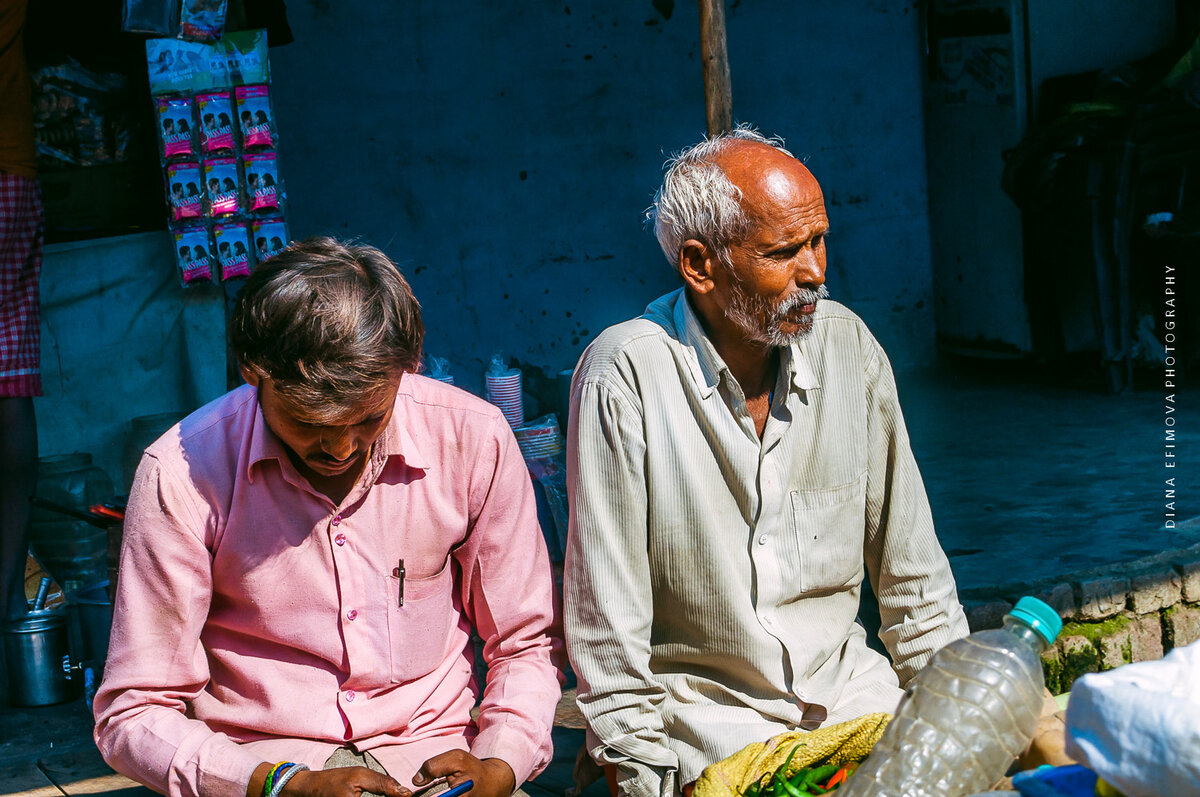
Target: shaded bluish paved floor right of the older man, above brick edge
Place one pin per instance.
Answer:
(1028, 480)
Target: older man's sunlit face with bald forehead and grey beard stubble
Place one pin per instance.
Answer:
(776, 275)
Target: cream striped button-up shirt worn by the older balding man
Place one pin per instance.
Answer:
(713, 579)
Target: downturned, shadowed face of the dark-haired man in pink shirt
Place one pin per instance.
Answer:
(322, 447)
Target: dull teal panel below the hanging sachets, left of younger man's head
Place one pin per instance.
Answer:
(119, 345)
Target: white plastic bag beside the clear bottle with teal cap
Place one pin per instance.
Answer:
(1138, 727)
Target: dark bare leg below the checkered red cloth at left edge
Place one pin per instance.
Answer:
(19, 478)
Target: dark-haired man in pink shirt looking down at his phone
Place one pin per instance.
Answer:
(305, 560)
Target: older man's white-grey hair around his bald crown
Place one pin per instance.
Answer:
(697, 201)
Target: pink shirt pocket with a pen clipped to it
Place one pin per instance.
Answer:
(419, 632)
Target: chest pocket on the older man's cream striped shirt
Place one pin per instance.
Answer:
(830, 529)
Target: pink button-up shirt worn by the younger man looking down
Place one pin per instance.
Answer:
(259, 622)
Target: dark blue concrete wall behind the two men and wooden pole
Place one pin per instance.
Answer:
(503, 153)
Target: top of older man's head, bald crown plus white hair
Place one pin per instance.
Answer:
(715, 191)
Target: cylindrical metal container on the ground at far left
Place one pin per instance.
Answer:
(38, 654)
